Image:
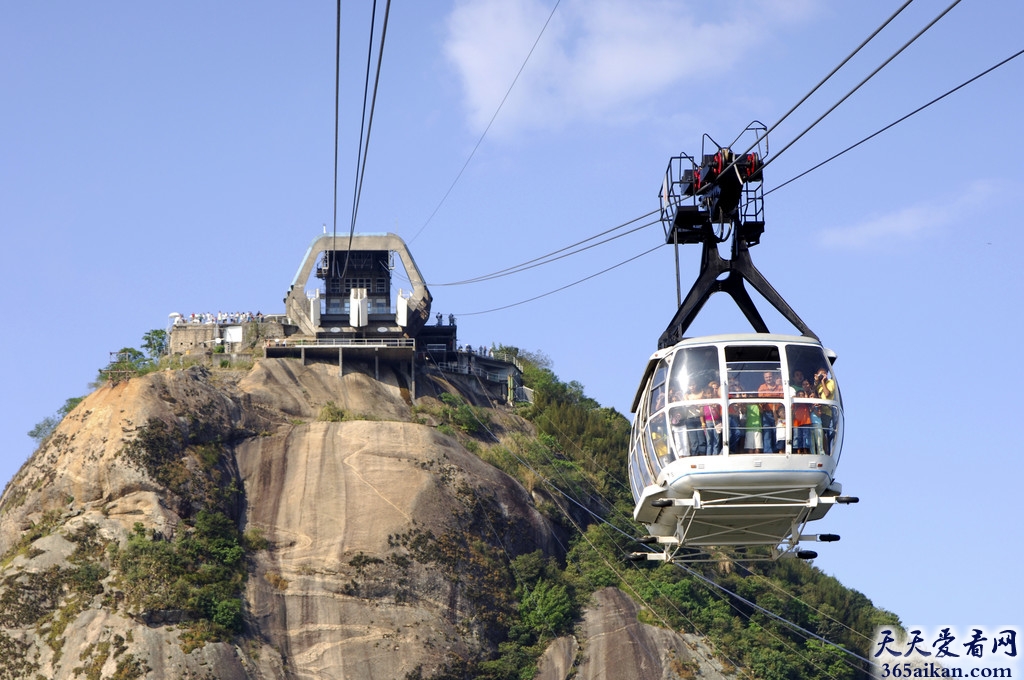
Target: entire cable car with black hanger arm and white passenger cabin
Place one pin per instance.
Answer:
(736, 438)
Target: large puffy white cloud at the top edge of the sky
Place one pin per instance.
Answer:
(598, 59)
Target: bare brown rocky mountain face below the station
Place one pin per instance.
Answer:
(290, 522)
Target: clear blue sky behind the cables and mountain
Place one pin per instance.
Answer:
(180, 158)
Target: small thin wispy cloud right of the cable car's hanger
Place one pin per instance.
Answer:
(914, 222)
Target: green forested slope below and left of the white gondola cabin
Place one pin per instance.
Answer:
(581, 449)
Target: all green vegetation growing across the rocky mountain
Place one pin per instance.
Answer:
(519, 599)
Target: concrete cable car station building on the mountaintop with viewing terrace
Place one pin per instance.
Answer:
(339, 307)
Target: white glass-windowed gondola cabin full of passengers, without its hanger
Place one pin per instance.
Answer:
(736, 441)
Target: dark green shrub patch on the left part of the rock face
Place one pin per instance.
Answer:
(197, 578)
